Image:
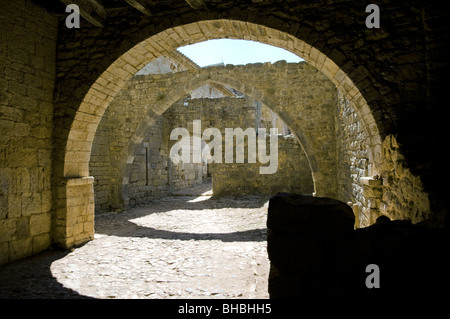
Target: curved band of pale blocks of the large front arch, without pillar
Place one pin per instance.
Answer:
(101, 93)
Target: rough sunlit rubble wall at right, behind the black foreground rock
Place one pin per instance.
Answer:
(392, 191)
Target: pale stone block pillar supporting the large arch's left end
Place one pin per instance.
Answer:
(74, 218)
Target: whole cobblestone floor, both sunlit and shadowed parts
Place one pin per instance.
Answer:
(183, 246)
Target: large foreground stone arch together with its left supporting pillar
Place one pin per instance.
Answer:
(73, 221)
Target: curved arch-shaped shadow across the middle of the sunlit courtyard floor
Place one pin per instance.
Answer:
(119, 224)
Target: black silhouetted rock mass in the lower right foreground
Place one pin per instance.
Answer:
(314, 250)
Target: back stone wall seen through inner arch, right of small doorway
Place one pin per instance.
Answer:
(293, 174)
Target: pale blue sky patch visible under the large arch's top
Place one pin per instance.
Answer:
(230, 51)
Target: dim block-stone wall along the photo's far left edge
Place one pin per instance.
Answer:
(27, 65)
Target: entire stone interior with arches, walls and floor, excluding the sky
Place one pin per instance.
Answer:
(86, 115)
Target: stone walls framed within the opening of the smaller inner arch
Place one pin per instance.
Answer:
(227, 178)
